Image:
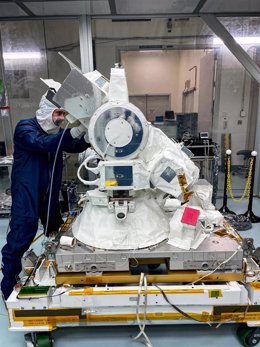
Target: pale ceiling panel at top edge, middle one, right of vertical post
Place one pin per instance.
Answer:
(155, 6)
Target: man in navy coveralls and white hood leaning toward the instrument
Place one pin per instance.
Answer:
(35, 147)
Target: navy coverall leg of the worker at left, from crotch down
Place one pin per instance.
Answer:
(21, 234)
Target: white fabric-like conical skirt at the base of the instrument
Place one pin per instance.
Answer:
(98, 228)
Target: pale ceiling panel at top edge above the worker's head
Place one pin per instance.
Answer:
(52, 8)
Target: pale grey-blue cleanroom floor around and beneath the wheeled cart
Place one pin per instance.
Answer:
(167, 336)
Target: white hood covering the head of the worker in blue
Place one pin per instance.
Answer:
(44, 116)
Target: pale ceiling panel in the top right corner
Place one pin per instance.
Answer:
(231, 6)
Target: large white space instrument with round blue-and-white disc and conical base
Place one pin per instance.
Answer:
(137, 164)
